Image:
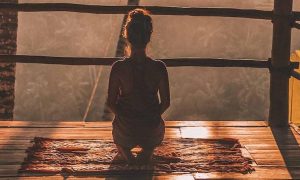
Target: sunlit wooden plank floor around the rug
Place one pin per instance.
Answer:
(276, 151)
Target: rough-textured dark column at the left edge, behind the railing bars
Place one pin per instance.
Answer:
(8, 45)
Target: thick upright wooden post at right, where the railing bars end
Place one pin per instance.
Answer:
(279, 85)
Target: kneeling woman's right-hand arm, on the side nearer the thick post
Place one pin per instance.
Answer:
(164, 90)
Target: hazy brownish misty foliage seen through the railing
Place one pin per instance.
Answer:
(61, 92)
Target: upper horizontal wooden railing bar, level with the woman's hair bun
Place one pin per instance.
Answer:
(156, 10)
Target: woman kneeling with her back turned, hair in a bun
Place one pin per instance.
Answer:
(133, 89)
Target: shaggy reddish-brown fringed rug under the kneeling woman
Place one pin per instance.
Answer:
(76, 157)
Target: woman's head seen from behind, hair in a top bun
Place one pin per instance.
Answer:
(138, 28)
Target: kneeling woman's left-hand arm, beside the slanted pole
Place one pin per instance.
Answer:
(113, 88)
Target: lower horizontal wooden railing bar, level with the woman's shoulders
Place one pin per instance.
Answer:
(172, 62)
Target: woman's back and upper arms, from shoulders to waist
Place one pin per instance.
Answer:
(136, 85)
